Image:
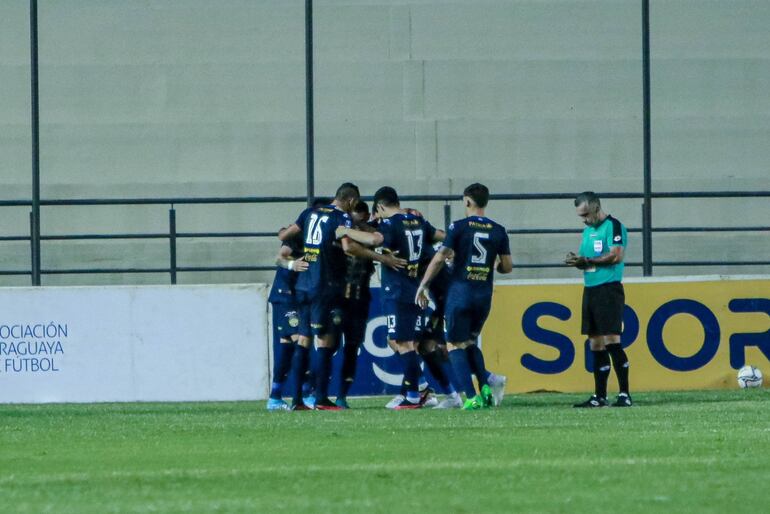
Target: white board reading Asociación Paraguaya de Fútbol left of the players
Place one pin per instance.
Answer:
(151, 343)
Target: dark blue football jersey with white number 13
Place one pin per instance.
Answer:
(410, 236)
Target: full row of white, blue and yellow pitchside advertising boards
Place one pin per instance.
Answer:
(198, 343)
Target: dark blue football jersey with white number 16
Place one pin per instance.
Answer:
(324, 254)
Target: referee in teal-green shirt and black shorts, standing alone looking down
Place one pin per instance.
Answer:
(601, 260)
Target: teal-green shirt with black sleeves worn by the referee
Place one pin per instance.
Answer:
(597, 241)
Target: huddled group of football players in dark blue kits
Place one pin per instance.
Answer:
(435, 300)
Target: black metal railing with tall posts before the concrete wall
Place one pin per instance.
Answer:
(647, 195)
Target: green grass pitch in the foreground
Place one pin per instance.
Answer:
(673, 452)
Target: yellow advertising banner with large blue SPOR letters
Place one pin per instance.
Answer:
(678, 334)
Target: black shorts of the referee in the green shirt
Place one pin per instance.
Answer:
(603, 309)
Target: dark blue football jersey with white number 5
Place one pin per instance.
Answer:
(476, 241)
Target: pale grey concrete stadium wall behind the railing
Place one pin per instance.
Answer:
(194, 98)
